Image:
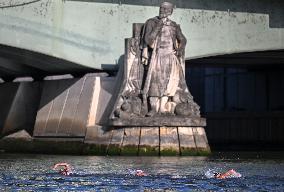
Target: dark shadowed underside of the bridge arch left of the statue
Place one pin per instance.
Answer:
(16, 62)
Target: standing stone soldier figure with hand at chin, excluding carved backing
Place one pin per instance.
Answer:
(163, 52)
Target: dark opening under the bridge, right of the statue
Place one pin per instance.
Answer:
(242, 98)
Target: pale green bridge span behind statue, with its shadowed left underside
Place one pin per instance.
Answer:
(46, 37)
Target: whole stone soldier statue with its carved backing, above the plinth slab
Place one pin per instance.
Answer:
(155, 82)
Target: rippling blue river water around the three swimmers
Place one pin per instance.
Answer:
(29, 172)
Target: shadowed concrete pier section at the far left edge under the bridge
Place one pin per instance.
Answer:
(19, 103)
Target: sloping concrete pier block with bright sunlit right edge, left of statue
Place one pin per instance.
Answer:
(65, 107)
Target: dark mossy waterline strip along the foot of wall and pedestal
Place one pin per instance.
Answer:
(77, 146)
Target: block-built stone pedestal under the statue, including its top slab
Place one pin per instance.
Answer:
(160, 135)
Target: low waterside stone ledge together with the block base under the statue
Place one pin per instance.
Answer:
(142, 141)
